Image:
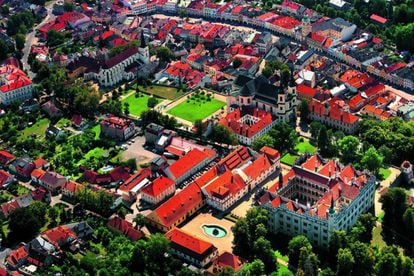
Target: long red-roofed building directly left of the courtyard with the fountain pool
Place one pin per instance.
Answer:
(177, 209)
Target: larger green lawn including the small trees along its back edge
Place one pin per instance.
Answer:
(197, 106)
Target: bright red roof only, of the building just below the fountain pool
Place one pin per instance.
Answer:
(190, 242)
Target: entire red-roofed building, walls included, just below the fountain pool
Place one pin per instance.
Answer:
(191, 249)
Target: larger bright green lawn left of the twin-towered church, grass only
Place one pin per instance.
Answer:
(193, 111)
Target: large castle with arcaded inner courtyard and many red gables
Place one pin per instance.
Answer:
(318, 197)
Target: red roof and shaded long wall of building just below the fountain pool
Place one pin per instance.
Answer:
(189, 244)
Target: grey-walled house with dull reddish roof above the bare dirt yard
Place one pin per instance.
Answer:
(118, 128)
